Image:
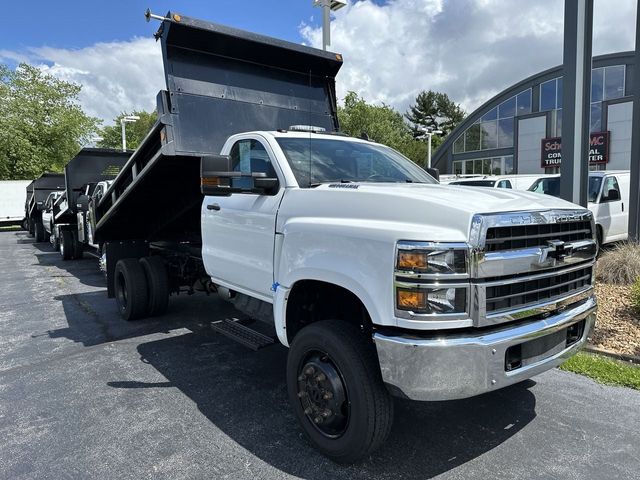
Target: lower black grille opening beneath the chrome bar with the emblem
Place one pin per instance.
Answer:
(517, 294)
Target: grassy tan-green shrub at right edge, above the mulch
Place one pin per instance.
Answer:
(621, 265)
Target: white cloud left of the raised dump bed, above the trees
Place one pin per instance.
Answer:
(115, 76)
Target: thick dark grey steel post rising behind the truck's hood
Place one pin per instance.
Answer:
(574, 173)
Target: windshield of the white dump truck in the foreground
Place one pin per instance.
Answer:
(318, 160)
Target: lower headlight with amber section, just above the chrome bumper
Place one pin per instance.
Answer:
(432, 300)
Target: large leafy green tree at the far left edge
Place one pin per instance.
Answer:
(42, 125)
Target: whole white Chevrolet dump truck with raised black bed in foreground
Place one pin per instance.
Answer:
(380, 281)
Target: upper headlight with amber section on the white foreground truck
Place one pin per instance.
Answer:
(431, 258)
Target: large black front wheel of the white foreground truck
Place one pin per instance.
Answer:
(368, 406)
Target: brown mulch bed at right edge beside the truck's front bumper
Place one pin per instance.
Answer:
(618, 325)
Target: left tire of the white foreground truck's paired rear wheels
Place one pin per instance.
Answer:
(132, 292)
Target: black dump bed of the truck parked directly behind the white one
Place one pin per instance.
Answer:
(91, 165)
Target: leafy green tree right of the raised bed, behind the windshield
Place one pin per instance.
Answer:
(382, 124)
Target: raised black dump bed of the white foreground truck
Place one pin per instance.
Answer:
(220, 81)
